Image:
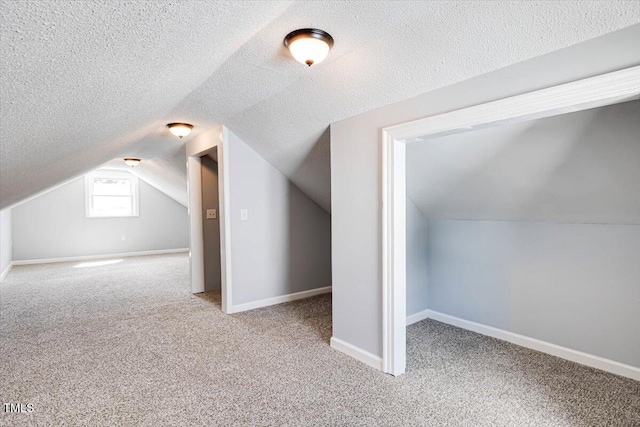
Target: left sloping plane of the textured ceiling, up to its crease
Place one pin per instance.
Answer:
(83, 82)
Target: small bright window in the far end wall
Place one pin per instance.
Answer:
(111, 194)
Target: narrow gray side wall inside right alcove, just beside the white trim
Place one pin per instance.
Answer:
(417, 260)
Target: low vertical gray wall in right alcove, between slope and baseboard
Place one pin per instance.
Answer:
(574, 285)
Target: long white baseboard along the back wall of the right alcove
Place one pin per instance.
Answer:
(542, 346)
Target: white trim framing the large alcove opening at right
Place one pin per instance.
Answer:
(606, 89)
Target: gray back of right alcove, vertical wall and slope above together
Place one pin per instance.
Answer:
(542, 236)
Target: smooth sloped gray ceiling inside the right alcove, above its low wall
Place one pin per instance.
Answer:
(582, 167)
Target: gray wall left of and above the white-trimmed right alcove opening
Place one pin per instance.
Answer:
(356, 174)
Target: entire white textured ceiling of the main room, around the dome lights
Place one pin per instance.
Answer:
(86, 82)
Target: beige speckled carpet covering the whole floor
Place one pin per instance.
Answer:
(127, 344)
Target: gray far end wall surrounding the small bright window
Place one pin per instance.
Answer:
(54, 225)
